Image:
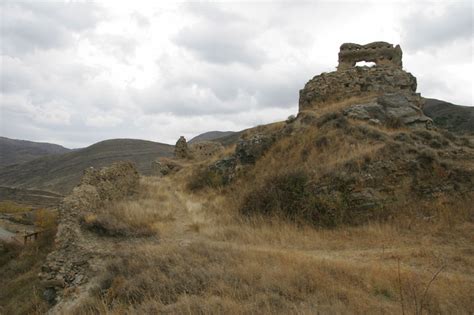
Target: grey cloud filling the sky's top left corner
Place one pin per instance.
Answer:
(27, 26)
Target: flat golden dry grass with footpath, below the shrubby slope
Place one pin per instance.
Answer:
(256, 265)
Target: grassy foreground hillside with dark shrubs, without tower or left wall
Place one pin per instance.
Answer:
(336, 216)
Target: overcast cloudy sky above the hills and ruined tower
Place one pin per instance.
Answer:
(75, 73)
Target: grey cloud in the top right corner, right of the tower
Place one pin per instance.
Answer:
(421, 30)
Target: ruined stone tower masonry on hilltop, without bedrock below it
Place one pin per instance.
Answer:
(386, 76)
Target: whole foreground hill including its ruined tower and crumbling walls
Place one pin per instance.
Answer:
(359, 204)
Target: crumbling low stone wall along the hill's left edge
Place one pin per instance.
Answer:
(70, 264)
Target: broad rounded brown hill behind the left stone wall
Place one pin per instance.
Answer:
(60, 173)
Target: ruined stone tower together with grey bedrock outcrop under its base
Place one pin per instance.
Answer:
(354, 84)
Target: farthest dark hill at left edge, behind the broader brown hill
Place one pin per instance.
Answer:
(14, 151)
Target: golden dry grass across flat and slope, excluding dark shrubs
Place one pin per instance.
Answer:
(212, 260)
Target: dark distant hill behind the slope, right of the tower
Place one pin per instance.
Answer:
(455, 118)
